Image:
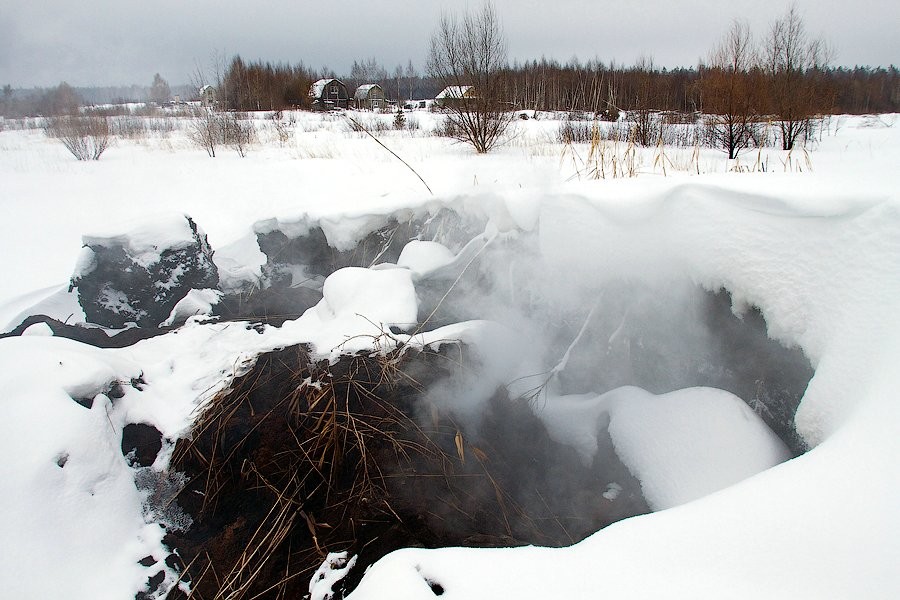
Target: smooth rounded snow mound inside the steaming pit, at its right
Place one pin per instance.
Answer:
(681, 446)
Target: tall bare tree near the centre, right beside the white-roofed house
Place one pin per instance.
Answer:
(470, 54)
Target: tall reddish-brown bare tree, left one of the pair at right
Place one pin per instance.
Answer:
(729, 88)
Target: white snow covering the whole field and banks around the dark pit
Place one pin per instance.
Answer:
(813, 240)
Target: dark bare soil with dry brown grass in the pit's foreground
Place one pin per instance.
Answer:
(300, 459)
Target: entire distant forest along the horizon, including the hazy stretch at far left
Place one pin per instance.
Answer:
(546, 85)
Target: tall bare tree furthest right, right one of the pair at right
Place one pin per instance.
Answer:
(791, 60)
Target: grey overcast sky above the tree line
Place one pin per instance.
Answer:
(119, 42)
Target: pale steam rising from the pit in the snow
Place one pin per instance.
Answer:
(570, 317)
